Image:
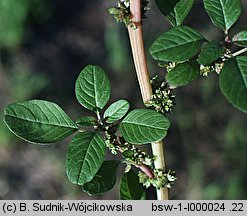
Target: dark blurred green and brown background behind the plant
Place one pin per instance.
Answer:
(44, 44)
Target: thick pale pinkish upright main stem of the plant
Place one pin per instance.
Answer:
(138, 52)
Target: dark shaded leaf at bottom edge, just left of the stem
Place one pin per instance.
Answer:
(130, 188)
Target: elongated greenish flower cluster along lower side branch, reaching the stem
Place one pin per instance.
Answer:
(148, 175)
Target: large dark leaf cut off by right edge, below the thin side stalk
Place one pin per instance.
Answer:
(233, 82)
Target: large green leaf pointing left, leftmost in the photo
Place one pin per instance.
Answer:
(38, 121)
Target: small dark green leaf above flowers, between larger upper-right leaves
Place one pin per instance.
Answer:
(210, 53)
